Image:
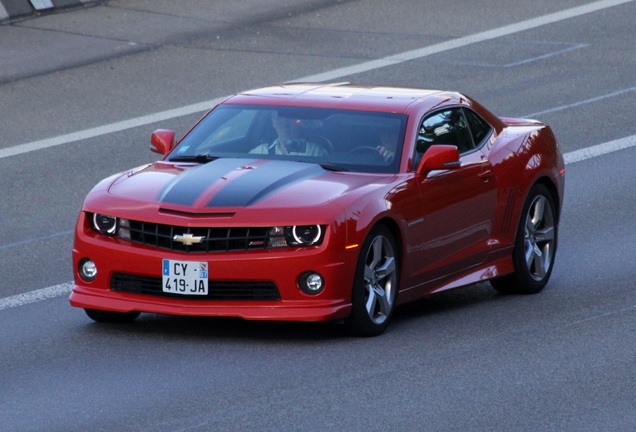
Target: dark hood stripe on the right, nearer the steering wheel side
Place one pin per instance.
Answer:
(262, 181)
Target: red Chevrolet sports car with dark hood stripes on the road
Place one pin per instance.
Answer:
(315, 202)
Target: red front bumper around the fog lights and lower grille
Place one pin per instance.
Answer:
(281, 267)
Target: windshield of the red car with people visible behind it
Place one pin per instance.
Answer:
(342, 140)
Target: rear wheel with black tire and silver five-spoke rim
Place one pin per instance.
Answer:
(535, 245)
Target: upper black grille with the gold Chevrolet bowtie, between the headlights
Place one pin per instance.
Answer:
(209, 239)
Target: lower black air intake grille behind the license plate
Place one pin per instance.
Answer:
(217, 290)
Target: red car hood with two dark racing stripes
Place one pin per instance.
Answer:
(232, 184)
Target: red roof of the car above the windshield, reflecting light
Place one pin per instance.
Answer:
(345, 96)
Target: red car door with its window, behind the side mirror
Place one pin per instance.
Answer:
(457, 207)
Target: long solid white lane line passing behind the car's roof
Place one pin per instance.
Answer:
(329, 75)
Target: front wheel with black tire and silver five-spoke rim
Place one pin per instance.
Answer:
(375, 285)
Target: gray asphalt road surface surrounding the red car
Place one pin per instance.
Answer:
(464, 360)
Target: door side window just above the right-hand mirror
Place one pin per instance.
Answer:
(444, 127)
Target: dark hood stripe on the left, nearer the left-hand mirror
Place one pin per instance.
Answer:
(188, 186)
